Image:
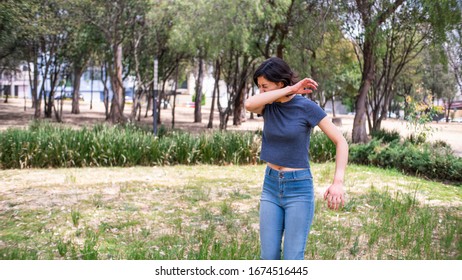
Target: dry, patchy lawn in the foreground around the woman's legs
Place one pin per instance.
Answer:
(211, 212)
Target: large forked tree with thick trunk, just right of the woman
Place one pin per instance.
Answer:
(416, 23)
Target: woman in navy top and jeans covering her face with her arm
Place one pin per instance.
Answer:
(287, 200)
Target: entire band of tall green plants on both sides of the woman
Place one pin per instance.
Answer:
(44, 145)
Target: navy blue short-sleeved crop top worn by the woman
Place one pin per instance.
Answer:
(286, 131)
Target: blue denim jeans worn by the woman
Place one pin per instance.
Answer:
(286, 209)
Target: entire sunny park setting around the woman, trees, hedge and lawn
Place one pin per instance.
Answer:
(87, 175)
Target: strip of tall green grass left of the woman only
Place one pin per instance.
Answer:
(46, 145)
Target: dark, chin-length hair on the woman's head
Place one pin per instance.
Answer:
(275, 70)
